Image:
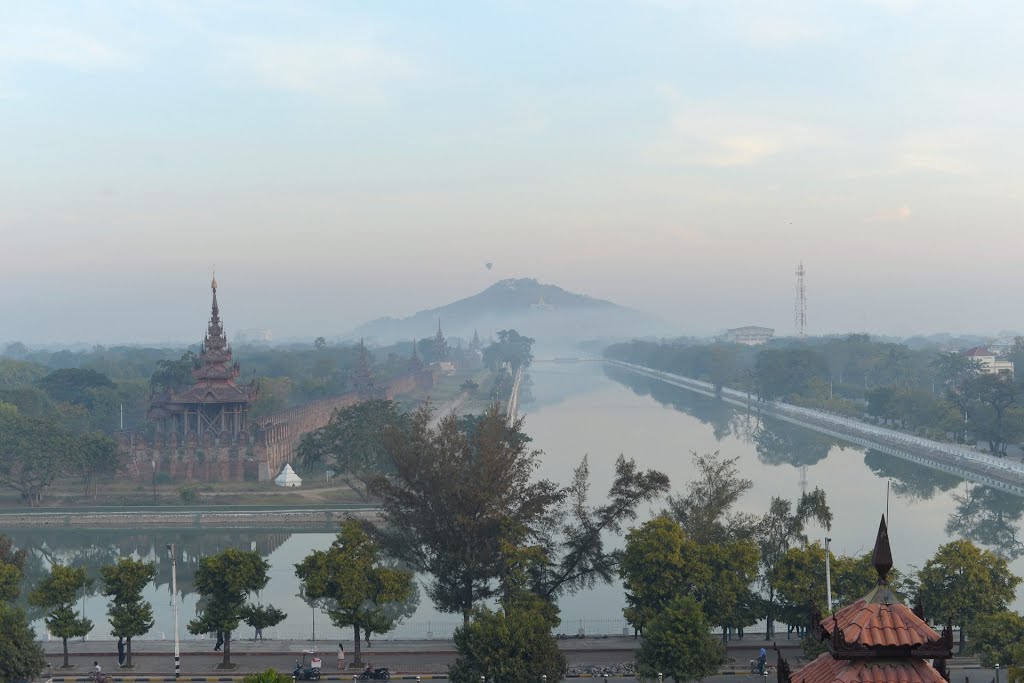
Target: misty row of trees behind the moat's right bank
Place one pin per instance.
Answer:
(938, 394)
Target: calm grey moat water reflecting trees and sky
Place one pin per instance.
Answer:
(588, 409)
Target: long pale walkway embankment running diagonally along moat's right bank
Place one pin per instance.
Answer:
(984, 468)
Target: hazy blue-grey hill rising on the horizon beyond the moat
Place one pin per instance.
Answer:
(546, 313)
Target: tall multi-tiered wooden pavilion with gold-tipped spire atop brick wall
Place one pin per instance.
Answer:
(216, 410)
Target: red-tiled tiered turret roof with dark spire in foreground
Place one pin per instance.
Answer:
(878, 639)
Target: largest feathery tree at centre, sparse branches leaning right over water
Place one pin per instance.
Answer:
(441, 520)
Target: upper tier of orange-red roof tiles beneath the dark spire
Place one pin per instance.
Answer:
(880, 619)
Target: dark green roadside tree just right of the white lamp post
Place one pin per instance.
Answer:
(226, 581)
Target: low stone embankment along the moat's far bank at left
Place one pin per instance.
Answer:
(206, 519)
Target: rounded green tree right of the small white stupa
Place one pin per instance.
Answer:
(353, 442)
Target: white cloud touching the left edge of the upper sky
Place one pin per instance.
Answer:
(59, 47)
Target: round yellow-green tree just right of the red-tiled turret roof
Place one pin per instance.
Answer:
(963, 582)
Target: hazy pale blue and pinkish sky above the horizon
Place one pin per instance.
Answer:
(340, 161)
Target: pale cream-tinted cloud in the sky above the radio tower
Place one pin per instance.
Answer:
(710, 137)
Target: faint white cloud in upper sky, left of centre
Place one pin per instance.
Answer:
(336, 69)
